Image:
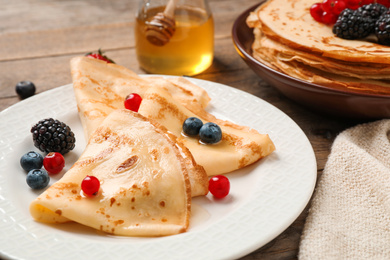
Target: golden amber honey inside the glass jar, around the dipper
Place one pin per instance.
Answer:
(190, 50)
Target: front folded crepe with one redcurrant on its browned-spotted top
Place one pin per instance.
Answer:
(145, 188)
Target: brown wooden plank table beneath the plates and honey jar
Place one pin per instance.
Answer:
(38, 38)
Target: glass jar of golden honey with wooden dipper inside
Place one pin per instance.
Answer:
(185, 37)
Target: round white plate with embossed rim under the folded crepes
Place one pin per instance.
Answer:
(265, 198)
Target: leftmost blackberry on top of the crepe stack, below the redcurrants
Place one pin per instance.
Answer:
(353, 25)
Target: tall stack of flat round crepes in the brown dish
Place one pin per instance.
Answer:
(289, 40)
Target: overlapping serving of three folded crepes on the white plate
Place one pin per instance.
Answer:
(148, 169)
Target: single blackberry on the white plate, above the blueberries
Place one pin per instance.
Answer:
(50, 135)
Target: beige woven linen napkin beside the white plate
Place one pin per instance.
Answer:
(349, 217)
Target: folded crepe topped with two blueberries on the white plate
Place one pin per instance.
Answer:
(240, 145)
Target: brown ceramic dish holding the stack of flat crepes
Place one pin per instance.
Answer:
(345, 103)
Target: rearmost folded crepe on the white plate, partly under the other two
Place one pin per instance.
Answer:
(100, 88)
